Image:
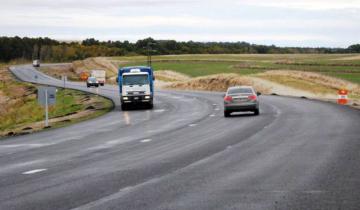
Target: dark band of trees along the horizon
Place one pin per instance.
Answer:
(51, 50)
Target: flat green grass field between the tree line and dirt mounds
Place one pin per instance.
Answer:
(344, 66)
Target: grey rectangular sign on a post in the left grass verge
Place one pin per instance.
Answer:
(46, 97)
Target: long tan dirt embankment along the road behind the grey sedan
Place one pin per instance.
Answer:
(286, 83)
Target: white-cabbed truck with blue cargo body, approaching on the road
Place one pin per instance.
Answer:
(136, 85)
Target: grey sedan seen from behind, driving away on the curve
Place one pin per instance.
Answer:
(241, 98)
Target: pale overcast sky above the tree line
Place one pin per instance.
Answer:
(328, 23)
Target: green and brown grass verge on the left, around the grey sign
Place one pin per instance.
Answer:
(20, 112)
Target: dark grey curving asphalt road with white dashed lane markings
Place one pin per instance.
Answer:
(297, 154)
